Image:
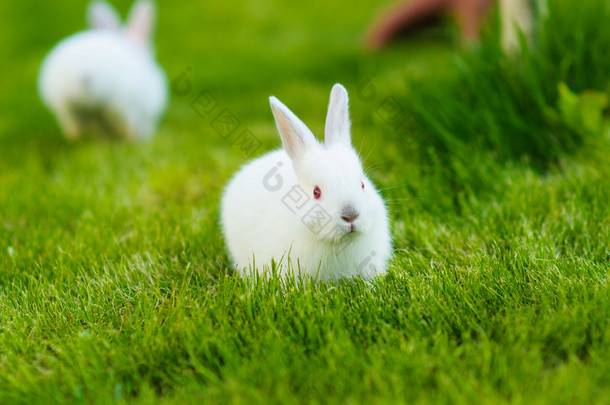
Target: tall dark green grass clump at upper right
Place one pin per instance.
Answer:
(532, 106)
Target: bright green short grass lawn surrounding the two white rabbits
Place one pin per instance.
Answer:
(114, 282)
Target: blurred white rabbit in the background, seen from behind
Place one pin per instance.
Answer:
(106, 78)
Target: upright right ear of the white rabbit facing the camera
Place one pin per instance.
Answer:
(337, 129)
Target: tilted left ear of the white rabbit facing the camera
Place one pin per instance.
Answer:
(296, 137)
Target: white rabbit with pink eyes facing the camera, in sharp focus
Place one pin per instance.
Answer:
(308, 204)
